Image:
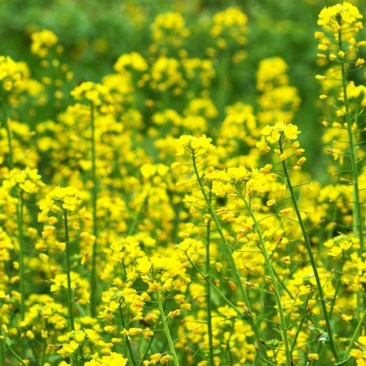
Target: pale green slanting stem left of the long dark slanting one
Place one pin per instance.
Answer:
(276, 290)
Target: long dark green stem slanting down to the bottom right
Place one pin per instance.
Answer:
(311, 256)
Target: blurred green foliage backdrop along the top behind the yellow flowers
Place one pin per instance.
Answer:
(94, 33)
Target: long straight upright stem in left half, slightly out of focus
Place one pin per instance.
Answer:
(93, 274)
